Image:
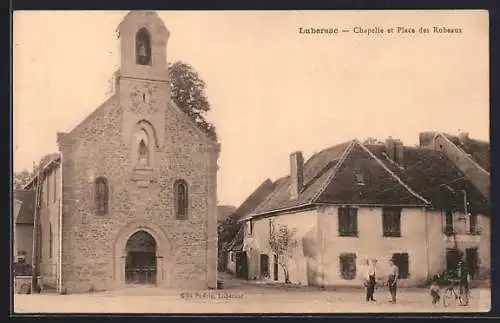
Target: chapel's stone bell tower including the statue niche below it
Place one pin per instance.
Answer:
(143, 89)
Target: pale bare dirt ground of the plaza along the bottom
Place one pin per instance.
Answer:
(243, 298)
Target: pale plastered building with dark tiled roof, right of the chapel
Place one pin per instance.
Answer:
(352, 202)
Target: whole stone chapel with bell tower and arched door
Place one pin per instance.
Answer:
(131, 197)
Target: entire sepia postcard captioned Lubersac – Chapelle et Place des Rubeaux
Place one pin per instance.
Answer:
(251, 162)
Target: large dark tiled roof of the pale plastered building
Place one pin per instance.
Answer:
(426, 178)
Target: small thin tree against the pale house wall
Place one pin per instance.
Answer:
(283, 242)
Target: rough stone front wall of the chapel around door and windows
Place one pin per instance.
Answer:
(97, 148)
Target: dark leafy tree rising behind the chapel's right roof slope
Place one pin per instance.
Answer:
(188, 92)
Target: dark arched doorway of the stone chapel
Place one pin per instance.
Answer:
(140, 262)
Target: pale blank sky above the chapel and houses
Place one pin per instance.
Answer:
(273, 90)
